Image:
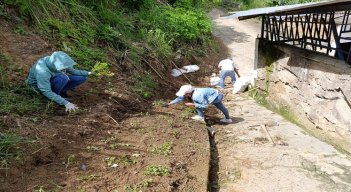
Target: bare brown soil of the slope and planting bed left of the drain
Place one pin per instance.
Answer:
(111, 141)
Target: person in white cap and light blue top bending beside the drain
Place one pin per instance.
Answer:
(202, 97)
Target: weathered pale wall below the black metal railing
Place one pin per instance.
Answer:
(314, 87)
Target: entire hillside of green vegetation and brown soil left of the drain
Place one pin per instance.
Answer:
(131, 46)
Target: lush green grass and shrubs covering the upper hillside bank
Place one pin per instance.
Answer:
(85, 28)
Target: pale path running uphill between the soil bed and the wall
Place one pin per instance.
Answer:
(248, 161)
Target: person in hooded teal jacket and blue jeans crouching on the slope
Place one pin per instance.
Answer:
(54, 75)
